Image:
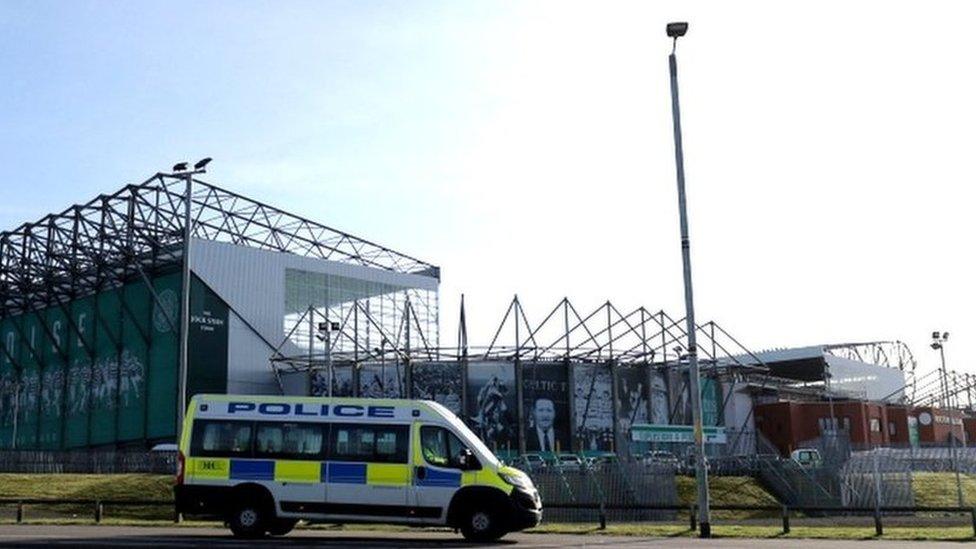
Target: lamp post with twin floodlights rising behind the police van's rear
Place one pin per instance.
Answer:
(181, 170)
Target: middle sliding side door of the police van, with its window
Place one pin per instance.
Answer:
(368, 472)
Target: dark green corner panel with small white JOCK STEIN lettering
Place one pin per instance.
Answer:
(208, 341)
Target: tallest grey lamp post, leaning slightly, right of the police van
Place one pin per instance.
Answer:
(676, 30)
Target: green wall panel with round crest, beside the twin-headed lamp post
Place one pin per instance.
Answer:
(161, 383)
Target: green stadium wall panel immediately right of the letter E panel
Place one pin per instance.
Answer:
(108, 330)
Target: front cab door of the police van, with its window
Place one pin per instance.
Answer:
(437, 472)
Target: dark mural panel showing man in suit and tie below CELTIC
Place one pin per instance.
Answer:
(545, 402)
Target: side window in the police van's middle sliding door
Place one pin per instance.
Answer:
(369, 443)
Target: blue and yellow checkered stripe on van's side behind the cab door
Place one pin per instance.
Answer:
(337, 472)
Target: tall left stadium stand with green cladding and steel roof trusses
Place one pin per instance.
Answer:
(90, 308)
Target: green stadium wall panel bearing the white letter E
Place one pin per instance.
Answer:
(80, 372)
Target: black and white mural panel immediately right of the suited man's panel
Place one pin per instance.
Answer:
(593, 407)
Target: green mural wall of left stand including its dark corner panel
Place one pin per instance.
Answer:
(103, 369)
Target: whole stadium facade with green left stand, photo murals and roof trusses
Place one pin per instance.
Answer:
(91, 324)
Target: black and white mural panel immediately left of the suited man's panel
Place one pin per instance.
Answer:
(492, 406)
